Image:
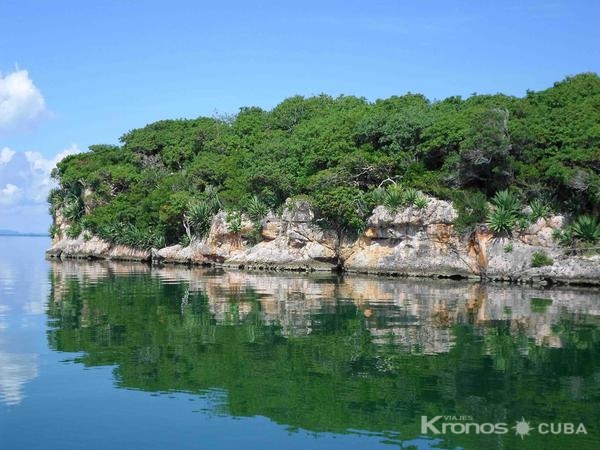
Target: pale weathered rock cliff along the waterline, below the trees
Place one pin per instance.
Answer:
(411, 242)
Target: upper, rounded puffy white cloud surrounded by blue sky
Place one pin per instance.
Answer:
(21, 102)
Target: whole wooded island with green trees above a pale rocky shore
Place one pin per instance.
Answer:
(495, 187)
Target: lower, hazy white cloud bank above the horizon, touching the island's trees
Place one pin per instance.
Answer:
(24, 185)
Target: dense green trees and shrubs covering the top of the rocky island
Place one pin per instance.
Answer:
(346, 154)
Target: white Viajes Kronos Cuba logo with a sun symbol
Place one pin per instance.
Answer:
(465, 425)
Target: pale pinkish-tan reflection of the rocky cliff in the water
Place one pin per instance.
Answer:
(415, 315)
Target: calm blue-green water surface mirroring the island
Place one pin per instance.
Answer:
(99, 355)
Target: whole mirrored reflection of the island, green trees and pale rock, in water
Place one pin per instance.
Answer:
(338, 354)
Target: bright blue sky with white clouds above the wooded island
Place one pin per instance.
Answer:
(77, 73)
